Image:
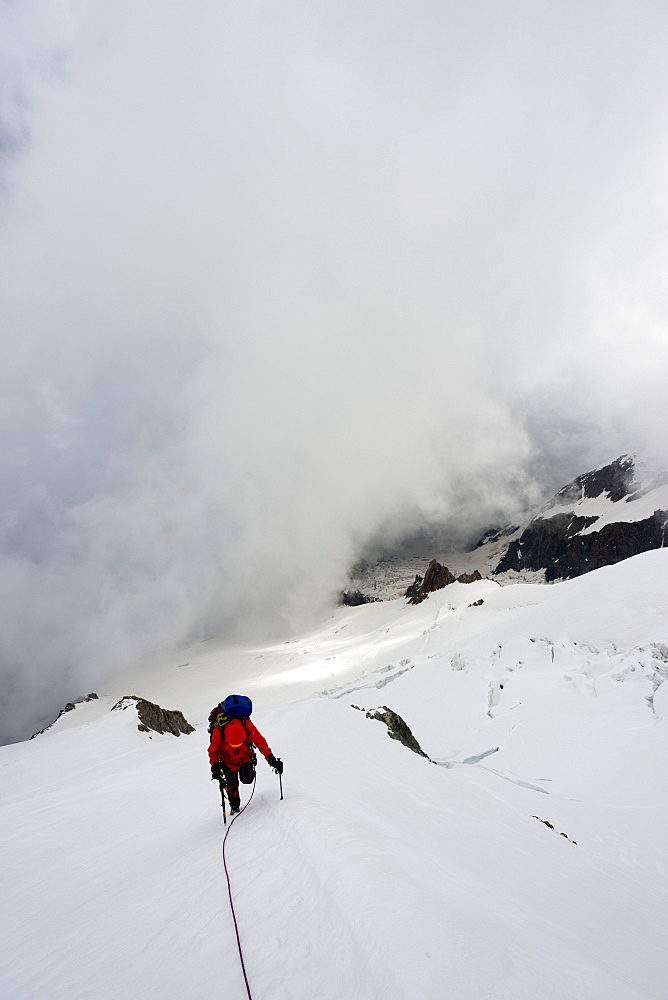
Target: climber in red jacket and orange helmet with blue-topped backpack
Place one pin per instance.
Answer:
(231, 751)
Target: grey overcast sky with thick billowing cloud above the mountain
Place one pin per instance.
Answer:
(279, 277)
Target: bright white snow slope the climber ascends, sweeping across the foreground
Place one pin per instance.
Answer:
(525, 861)
